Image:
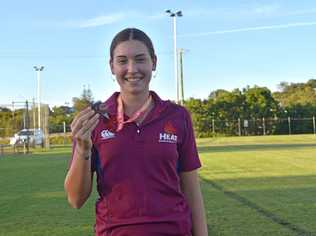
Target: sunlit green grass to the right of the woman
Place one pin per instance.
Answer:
(260, 185)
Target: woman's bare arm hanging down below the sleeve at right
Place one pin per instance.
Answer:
(190, 186)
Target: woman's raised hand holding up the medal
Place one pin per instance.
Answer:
(81, 128)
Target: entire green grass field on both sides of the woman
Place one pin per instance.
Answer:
(251, 186)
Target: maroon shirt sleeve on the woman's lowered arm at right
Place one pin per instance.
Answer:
(188, 155)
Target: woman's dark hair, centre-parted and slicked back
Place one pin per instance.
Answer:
(132, 34)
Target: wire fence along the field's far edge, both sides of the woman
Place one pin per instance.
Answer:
(24, 115)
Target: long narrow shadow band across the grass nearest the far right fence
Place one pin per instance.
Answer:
(254, 147)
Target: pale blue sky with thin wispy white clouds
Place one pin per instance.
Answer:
(227, 45)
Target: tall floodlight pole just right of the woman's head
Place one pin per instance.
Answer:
(174, 15)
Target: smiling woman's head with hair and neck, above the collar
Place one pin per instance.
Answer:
(132, 60)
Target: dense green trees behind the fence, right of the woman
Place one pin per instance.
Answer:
(256, 109)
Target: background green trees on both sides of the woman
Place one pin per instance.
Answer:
(248, 111)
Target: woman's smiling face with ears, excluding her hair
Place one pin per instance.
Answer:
(132, 66)
